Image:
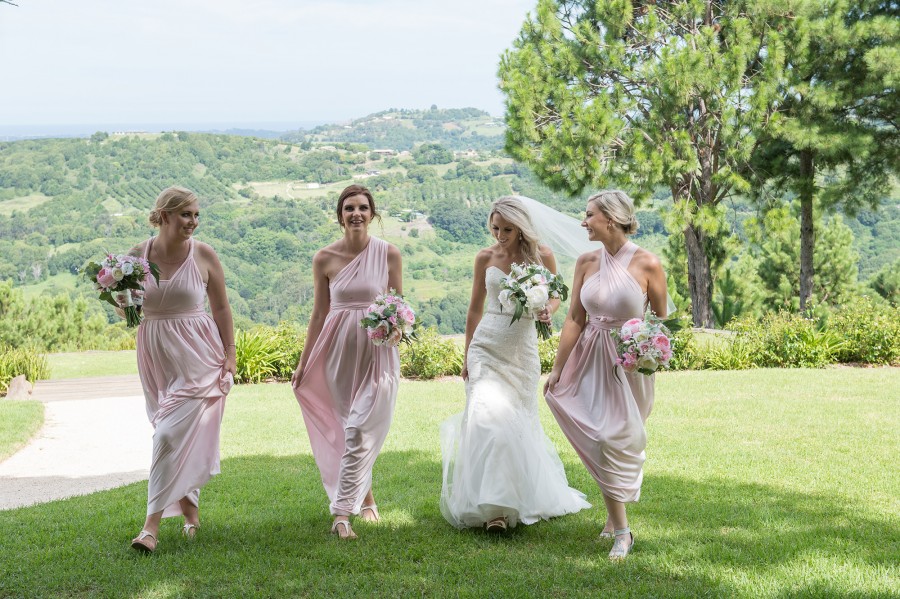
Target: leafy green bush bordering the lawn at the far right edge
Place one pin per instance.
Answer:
(871, 332)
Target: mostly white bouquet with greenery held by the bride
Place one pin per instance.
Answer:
(530, 287)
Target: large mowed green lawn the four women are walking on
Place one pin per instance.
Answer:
(764, 483)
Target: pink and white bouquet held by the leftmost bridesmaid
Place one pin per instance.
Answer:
(123, 276)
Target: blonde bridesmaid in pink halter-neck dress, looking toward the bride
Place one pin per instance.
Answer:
(602, 417)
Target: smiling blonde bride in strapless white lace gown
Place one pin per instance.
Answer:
(499, 466)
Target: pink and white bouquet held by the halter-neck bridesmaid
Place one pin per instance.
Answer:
(644, 344)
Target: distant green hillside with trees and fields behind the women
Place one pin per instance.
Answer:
(267, 205)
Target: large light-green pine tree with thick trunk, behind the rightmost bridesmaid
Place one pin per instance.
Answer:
(646, 93)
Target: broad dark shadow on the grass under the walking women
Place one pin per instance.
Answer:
(266, 522)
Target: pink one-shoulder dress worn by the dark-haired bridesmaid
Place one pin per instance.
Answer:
(349, 385)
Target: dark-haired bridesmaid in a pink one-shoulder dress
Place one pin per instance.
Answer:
(346, 385)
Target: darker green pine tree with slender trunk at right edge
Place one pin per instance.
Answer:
(835, 136)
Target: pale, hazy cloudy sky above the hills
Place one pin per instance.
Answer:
(248, 62)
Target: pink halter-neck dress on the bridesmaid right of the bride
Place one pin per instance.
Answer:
(602, 416)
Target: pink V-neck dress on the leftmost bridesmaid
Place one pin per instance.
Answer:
(181, 362)
